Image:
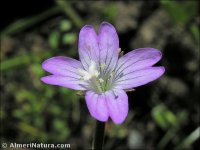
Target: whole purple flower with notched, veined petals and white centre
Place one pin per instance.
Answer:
(102, 74)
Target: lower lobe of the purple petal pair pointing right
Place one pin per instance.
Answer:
(140, 77)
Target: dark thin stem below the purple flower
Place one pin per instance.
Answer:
(98, 136)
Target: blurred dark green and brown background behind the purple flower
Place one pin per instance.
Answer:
(164, 114)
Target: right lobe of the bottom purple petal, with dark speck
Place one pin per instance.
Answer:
(117, 102)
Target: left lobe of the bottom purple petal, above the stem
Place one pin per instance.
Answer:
(97, 106)
